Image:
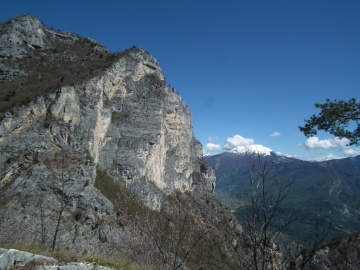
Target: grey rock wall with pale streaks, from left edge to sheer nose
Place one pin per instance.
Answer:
(128, 120)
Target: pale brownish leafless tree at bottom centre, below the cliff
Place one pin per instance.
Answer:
(170, 240)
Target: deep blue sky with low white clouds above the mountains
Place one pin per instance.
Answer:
(246, 69)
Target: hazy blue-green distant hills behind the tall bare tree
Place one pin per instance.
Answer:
(326, 187)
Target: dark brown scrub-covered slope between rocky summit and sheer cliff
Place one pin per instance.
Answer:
(46, 70)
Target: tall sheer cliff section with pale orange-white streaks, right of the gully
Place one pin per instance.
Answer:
(137, 126)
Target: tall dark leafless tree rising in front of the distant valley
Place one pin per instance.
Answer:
(261, 215)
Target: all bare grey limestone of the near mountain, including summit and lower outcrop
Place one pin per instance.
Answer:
(127, 122)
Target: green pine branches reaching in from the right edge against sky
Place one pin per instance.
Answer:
(335, 117)
